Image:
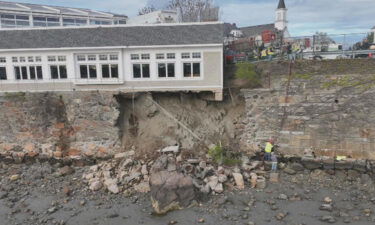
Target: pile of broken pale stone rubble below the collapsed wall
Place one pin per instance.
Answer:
(125, 174)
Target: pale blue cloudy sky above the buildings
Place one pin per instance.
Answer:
(305, 16)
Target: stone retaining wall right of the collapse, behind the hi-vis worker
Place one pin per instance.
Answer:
(327, 107)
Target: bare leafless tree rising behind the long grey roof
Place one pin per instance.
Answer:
(195, 10)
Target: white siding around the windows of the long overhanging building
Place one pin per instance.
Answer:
(210, 69)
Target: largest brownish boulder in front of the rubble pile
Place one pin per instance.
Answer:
(170, 191)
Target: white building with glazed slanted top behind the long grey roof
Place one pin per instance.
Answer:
(18, 15)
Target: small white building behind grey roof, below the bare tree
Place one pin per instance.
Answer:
(161, 16)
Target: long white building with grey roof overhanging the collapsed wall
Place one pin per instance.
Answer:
(164, 57)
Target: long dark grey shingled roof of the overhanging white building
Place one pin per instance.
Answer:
(112, 36)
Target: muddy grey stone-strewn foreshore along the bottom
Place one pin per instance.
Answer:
(42, 195)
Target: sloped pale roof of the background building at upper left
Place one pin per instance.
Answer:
(27, 7)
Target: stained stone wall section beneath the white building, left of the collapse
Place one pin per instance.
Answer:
(76, 125)
